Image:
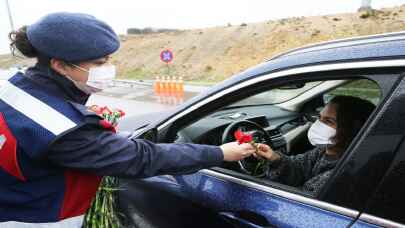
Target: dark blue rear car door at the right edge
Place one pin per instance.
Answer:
(386, 206)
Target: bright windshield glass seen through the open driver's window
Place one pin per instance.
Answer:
(275, 96)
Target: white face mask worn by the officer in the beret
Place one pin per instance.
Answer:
(99, 78)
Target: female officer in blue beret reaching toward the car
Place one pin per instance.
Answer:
(53, 150)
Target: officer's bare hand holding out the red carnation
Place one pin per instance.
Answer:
(234, 152)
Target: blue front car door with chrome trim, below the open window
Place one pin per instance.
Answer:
(222, 198)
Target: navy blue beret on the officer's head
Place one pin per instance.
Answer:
(72, 37)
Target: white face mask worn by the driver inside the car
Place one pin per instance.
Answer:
(321, 134)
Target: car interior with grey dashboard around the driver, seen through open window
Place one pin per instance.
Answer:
(279, 117)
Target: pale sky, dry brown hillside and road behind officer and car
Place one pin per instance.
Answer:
(210, 40)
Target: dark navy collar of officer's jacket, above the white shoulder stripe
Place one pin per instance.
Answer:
(56, 83)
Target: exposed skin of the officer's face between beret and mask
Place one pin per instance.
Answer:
(78, 72)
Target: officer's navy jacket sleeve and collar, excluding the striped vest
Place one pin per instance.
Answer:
(105, 153)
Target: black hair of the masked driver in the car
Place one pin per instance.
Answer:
(351, 114)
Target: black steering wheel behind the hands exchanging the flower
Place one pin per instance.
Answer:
(248, 165)
